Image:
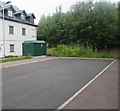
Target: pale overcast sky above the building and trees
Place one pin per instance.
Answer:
(40, 7)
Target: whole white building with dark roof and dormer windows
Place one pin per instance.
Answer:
(18, 27)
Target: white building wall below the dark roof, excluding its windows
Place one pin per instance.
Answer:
(17, 38)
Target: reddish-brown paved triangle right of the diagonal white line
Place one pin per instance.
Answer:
(101, 94)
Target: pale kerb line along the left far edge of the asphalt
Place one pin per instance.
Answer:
(27, 63)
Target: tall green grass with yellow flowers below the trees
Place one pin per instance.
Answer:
(78, 51)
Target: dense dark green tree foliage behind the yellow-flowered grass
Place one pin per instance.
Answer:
(86, 23)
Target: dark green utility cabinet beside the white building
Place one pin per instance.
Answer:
(34, 48)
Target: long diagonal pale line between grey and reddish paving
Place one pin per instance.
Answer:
(77, 93)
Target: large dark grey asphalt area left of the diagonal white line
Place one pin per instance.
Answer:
(46, 84)
